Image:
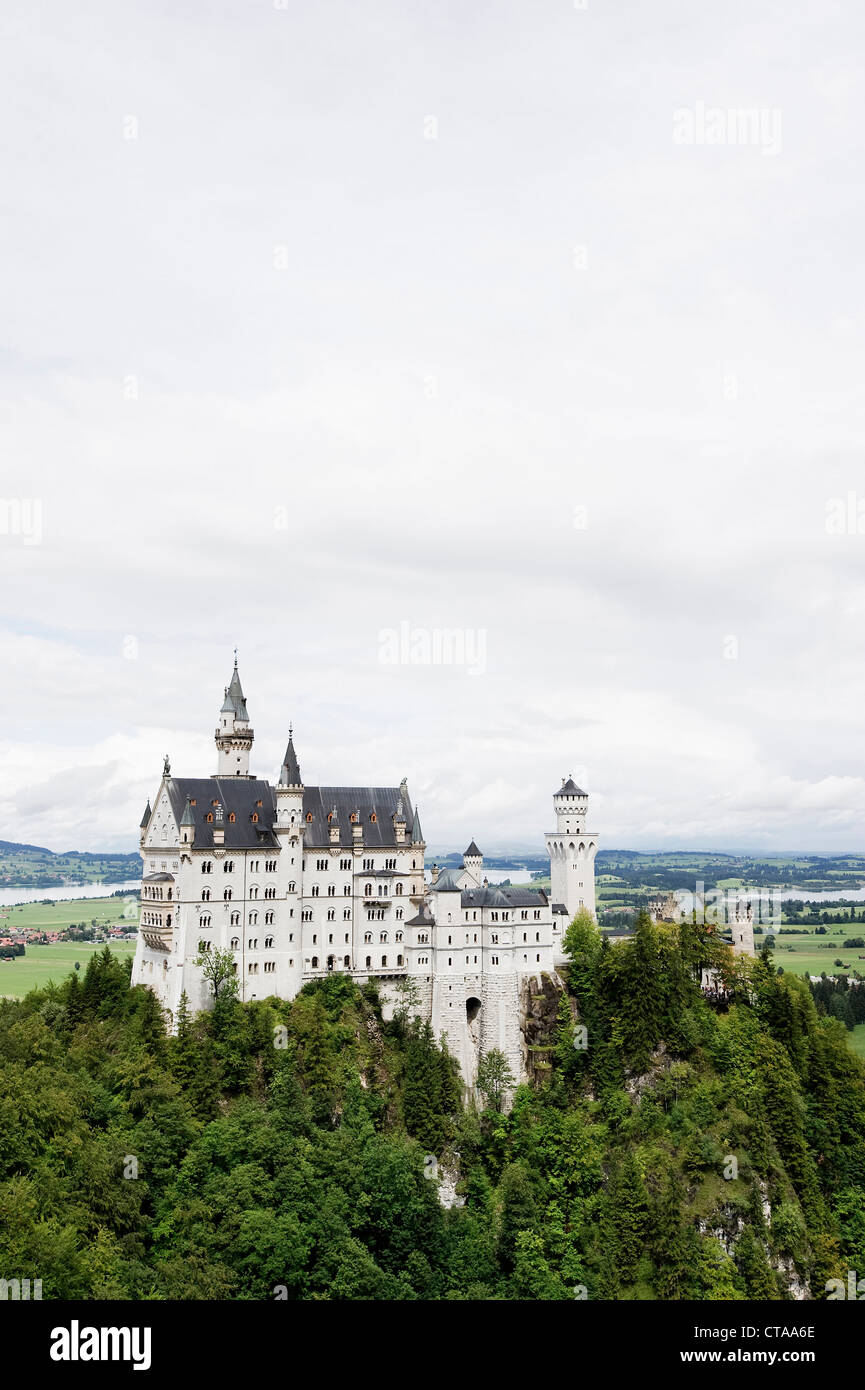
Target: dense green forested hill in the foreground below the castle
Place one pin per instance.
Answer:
(696, 1149)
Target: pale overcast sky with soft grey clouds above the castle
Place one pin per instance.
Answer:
(539, 325)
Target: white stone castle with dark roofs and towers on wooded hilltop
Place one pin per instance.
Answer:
(300, 882)
